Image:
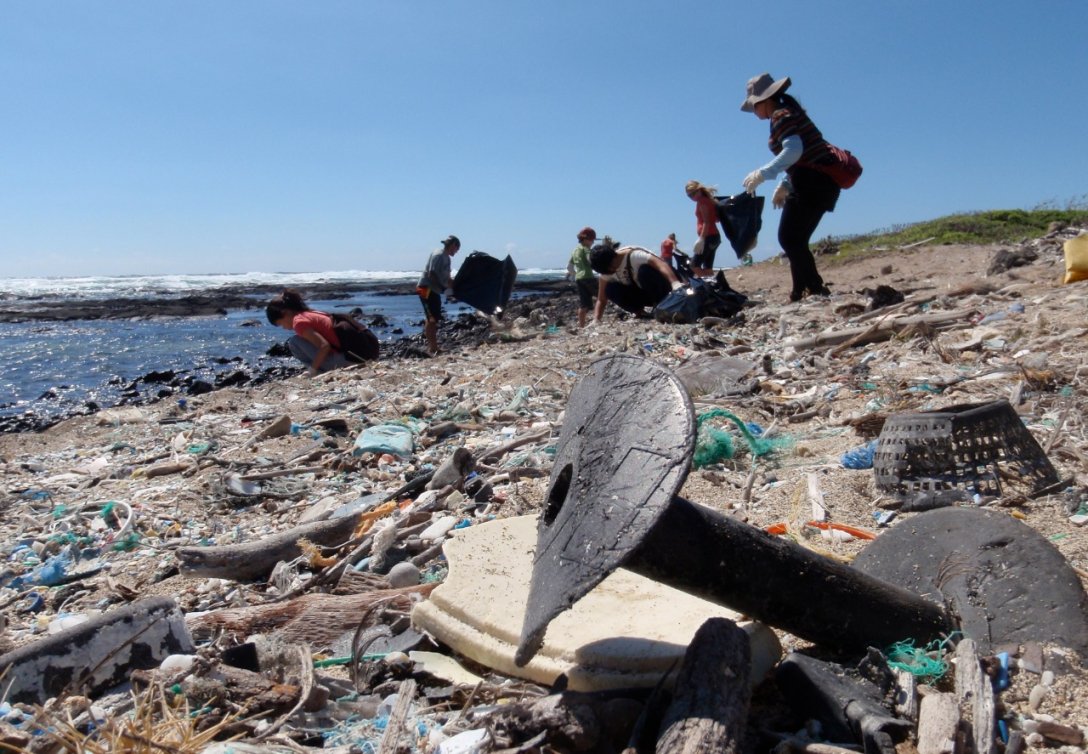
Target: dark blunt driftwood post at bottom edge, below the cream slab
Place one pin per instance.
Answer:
(711, 704)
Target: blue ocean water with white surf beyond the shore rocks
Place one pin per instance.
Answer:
(52, 369)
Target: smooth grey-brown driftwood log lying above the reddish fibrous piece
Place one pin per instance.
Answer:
(256, 560)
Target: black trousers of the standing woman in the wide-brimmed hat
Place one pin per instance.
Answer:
(812, 195)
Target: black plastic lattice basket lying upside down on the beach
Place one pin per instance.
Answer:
(944, 456)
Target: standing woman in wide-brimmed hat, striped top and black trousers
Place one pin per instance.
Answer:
(805, 194)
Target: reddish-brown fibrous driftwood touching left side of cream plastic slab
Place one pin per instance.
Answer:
(311, 619)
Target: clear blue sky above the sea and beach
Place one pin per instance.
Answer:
(238, 137)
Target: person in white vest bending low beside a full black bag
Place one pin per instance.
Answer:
(632, 278)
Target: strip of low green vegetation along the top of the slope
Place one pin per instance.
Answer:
(990, 227)
